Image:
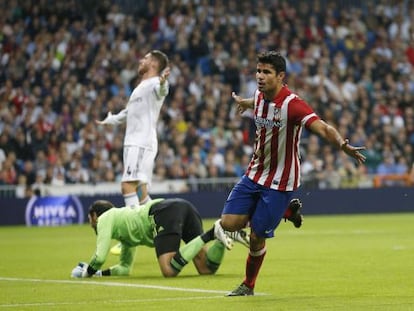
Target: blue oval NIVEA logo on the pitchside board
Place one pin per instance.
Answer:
(54, 211)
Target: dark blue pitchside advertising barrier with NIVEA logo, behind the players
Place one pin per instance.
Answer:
(70, 209)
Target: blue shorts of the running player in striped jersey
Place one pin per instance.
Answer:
(264, 206)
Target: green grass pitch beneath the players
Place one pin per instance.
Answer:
(354, 262)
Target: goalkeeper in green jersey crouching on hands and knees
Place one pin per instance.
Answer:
(162, 224)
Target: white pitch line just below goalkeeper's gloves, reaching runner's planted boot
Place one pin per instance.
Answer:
(89, 282)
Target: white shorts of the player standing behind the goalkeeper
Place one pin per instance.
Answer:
(138, 164)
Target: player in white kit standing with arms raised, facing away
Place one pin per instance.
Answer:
(141, 114)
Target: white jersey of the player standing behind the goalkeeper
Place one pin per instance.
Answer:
(144, 107)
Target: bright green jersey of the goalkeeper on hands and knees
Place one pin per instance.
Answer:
(130, 226)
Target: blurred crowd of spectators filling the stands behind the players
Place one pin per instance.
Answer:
(63, 65)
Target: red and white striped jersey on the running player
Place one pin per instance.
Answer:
(275, 161)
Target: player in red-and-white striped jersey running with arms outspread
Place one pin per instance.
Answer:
(263, 194)
